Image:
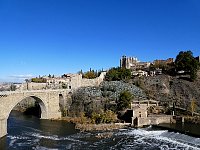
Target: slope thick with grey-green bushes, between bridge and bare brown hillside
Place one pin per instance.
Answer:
(105, 96)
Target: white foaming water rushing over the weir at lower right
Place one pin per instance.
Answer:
(162, 139)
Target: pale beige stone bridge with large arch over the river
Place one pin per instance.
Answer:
(48, 100)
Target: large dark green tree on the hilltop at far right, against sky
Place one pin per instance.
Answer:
(185, 61)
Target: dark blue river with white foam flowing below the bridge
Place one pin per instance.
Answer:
(29, 132)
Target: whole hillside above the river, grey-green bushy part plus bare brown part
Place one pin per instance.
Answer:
(164, 88)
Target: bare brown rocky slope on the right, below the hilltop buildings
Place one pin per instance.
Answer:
(168, 89)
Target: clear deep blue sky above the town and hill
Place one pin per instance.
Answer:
(38, 37)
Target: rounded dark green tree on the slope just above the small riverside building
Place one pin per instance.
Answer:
(124, 100)
